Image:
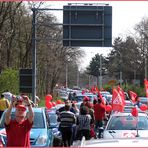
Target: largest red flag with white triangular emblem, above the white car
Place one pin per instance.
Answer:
(117, 102)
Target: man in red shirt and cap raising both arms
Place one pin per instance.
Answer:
(18, 129)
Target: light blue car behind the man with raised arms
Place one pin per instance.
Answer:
(40, 134)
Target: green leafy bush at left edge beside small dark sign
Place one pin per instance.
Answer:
(9, 81)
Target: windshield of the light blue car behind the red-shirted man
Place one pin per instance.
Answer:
(38, 120)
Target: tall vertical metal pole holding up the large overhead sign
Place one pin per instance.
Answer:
(34, 56)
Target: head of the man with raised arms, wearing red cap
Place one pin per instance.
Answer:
(20, 112)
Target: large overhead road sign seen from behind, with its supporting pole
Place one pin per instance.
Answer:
(84, 25)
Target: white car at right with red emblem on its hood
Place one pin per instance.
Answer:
(123, 125)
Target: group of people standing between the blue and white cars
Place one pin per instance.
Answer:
(87, 121)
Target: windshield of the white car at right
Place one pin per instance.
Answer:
(128, 123)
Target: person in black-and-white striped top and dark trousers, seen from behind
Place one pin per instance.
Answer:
(67, 120)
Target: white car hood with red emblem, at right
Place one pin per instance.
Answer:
(125, 133)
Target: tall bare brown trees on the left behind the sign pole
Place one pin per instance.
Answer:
(16, 43)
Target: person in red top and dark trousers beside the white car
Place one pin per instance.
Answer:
(100, 114)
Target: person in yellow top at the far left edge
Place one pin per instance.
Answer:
(4, 104)
